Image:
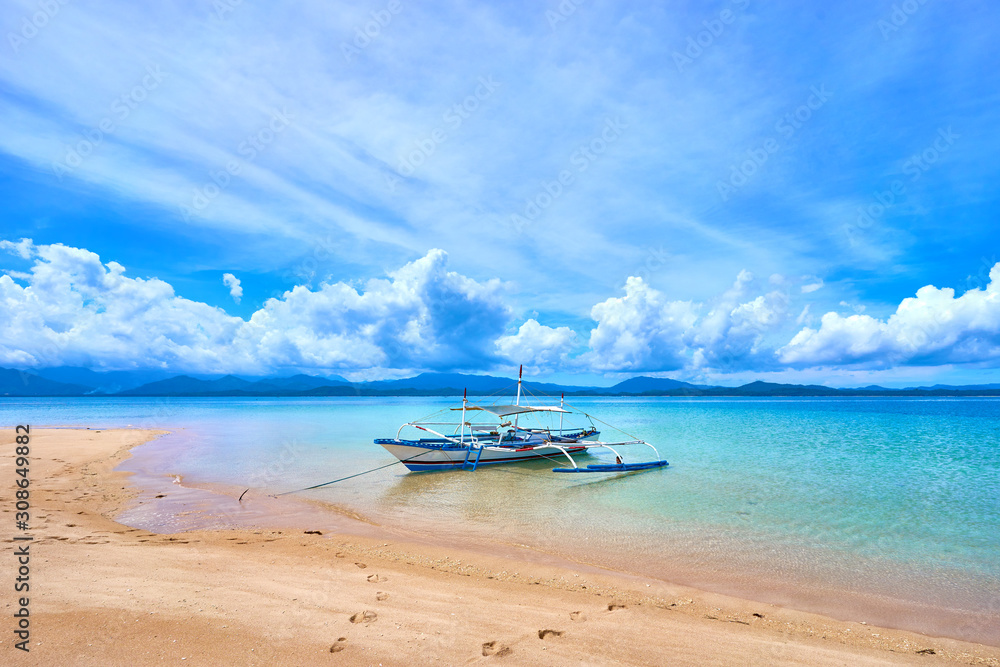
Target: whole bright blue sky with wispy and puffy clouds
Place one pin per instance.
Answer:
(710, 191)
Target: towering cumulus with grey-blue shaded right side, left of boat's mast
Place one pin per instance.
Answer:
(422, 316)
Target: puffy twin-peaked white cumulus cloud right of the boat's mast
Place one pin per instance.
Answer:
(645, 331)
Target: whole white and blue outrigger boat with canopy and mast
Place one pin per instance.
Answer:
(468, 444)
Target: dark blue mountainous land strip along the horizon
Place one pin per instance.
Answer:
(70, 381)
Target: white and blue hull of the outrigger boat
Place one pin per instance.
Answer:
(418, 458)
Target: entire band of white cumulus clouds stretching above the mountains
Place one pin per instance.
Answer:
(70, 308)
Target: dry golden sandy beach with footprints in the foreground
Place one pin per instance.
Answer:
(102, 593)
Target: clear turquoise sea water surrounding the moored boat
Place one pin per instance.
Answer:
(886, 510)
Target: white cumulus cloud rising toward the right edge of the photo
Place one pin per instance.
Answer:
(932, 328)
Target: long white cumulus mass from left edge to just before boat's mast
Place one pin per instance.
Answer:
(76, 310)
